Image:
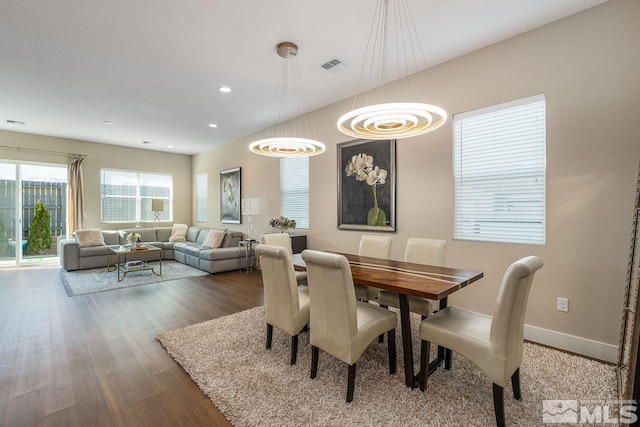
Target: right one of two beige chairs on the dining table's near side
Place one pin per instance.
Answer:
(340, 325)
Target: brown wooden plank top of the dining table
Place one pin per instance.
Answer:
(420, 280)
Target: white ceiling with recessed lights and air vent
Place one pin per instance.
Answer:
(153, 67)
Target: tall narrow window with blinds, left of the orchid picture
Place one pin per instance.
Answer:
(294, 184)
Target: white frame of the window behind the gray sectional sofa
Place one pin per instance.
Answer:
(138, 181)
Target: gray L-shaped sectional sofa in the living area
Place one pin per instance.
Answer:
(228, 256)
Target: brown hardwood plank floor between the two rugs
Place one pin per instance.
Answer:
(93, 359)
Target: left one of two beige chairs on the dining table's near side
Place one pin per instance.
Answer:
(286, 304)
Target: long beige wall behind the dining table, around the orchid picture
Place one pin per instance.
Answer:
(587, 65)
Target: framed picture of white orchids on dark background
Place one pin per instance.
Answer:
(366, 185)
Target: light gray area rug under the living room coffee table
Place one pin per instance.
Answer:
(82, 282)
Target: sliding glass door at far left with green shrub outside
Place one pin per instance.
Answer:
(33, 211)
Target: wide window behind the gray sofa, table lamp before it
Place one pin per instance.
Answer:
(126, 195)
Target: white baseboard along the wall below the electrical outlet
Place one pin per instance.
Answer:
(583, 346)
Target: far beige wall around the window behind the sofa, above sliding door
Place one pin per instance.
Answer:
(105, 156)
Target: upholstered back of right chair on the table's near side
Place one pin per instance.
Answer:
(333, 319)
